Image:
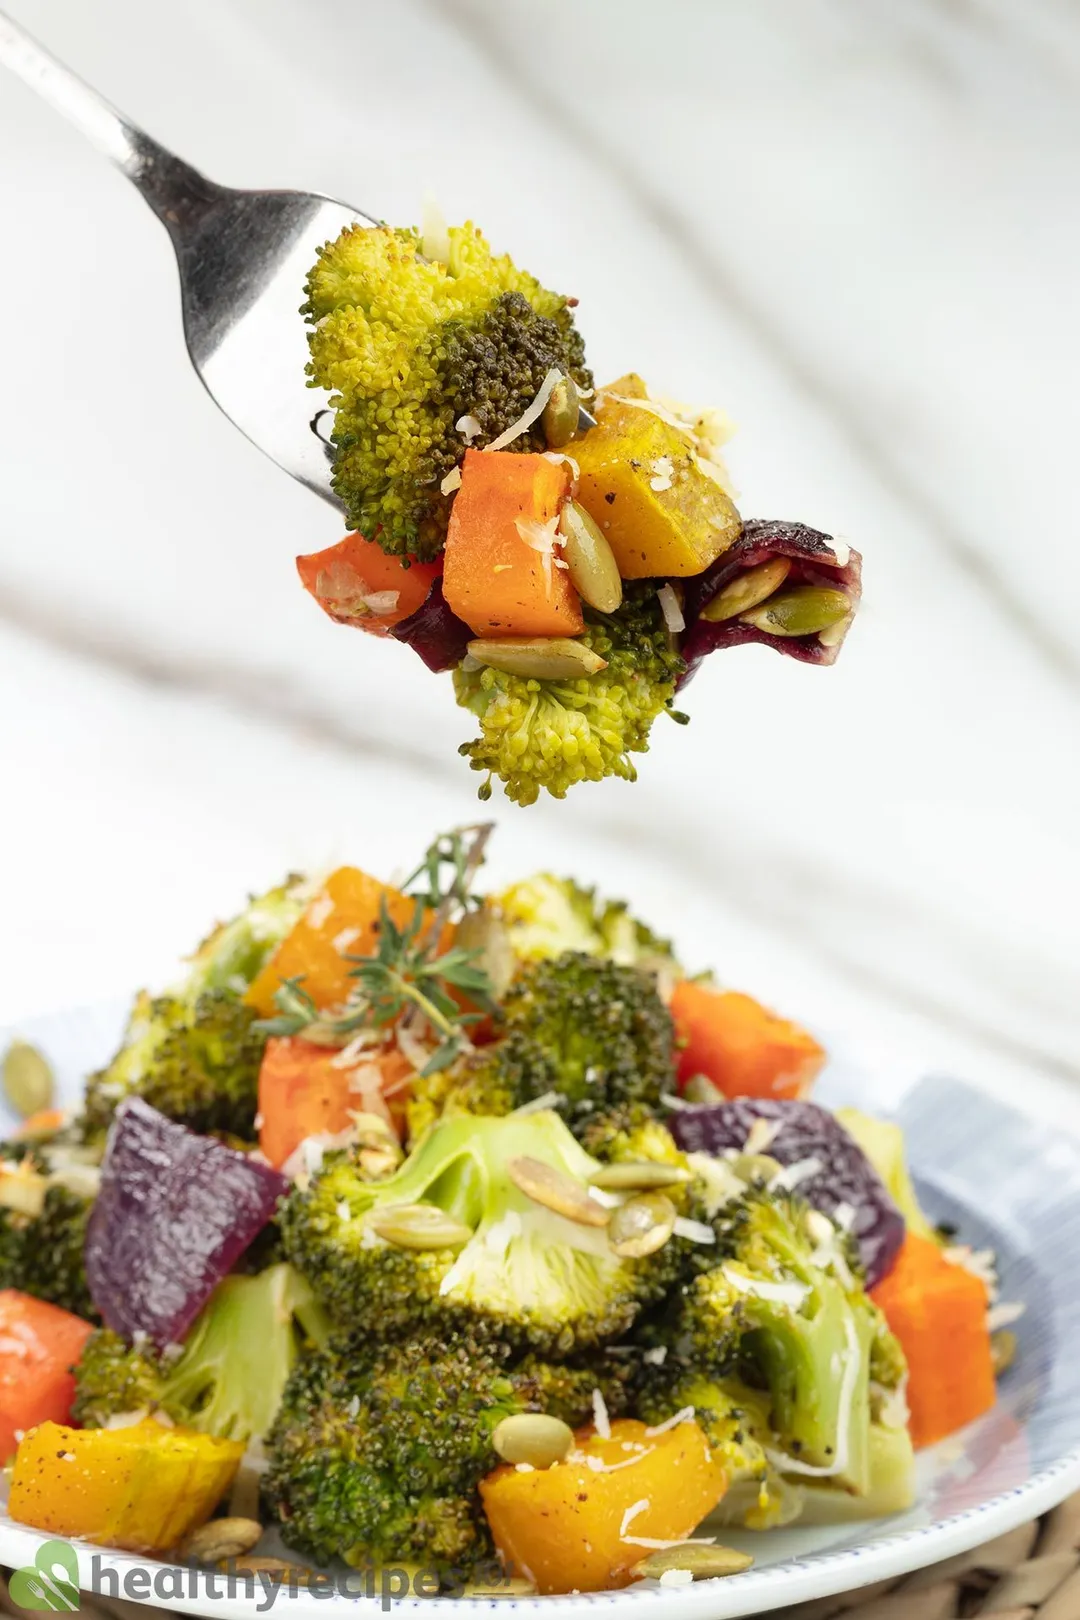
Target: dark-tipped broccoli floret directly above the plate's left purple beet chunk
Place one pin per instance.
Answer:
(197, 1064)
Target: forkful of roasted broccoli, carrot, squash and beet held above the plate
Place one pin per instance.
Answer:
(571, 553)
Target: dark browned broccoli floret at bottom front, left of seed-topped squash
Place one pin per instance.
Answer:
(378, 1449)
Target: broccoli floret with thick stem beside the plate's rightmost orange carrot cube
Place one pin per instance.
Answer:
(794, 1321)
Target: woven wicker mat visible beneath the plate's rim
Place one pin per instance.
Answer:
(1032, 1574)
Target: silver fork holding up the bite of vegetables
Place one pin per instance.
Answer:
(242, 255)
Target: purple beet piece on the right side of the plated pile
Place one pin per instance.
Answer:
(833, 1169)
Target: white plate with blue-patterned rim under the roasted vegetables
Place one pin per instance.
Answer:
(1005, 1179)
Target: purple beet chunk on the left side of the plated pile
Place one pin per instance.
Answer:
(174, 1216)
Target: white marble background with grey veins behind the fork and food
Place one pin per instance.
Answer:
(851, 223)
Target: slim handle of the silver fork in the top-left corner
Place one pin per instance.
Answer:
(174, 190)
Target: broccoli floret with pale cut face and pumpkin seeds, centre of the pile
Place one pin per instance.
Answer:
(509, 1268)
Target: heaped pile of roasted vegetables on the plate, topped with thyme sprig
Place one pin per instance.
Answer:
(467, 1234)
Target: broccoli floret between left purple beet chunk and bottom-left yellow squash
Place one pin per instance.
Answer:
(229, 1378)
